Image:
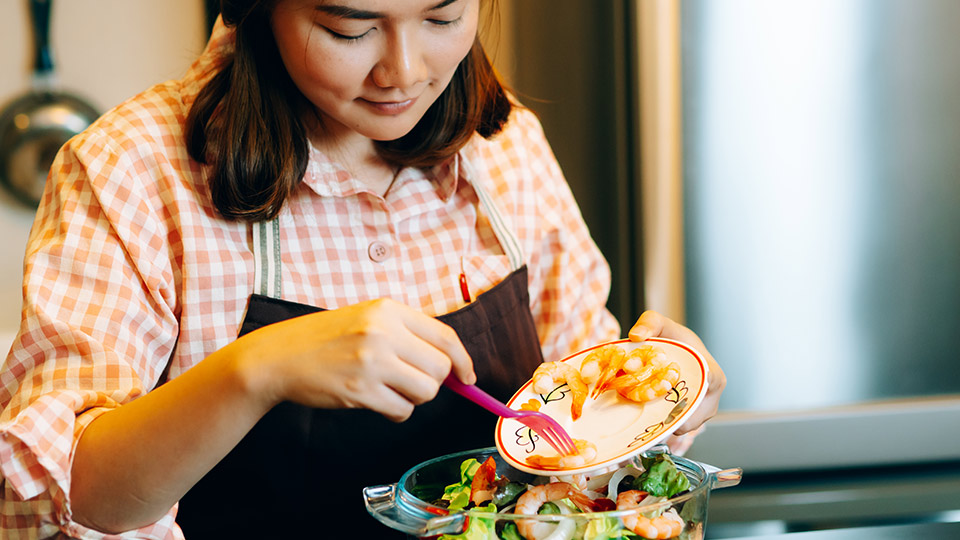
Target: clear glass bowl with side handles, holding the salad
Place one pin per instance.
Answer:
(400, 506)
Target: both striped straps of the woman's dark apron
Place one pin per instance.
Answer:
(266, 238)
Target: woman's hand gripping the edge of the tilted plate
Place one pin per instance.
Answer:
(652, 324)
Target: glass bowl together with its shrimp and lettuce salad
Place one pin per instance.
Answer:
(477, 495)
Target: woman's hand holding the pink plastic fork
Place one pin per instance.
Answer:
(380, 355)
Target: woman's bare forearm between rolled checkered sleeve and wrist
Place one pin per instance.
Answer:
(133, 463)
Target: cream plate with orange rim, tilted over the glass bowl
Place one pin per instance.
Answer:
(619, 428)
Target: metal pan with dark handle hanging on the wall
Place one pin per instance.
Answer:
(34, 126)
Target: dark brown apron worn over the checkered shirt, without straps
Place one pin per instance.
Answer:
(299, 472)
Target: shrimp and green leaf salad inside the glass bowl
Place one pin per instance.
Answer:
(504, 510)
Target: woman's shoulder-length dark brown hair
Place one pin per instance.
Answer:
(245, 122)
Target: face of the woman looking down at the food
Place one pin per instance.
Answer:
(373, 67)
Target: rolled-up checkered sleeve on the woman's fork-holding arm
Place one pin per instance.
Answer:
(97, 328)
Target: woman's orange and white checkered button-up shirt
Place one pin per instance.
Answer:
(131, 277)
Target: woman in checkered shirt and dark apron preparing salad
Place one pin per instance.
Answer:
(346, 186)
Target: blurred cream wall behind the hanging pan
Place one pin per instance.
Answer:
(105, 51)
